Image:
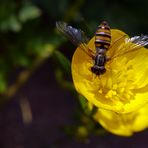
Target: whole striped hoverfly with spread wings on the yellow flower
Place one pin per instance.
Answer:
(102, 43)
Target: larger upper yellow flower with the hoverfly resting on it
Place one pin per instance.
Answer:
(123, 88)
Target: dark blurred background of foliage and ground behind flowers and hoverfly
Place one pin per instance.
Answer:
(37, 101)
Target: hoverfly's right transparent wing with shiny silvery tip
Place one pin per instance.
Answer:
(130, 45)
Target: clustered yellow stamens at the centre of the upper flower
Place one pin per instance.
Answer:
(116, 91)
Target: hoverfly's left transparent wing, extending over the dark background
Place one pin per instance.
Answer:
(76, 36)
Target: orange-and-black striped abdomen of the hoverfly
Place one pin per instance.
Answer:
(103, 36)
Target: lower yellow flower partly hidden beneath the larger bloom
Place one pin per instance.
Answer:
(123, 124)
